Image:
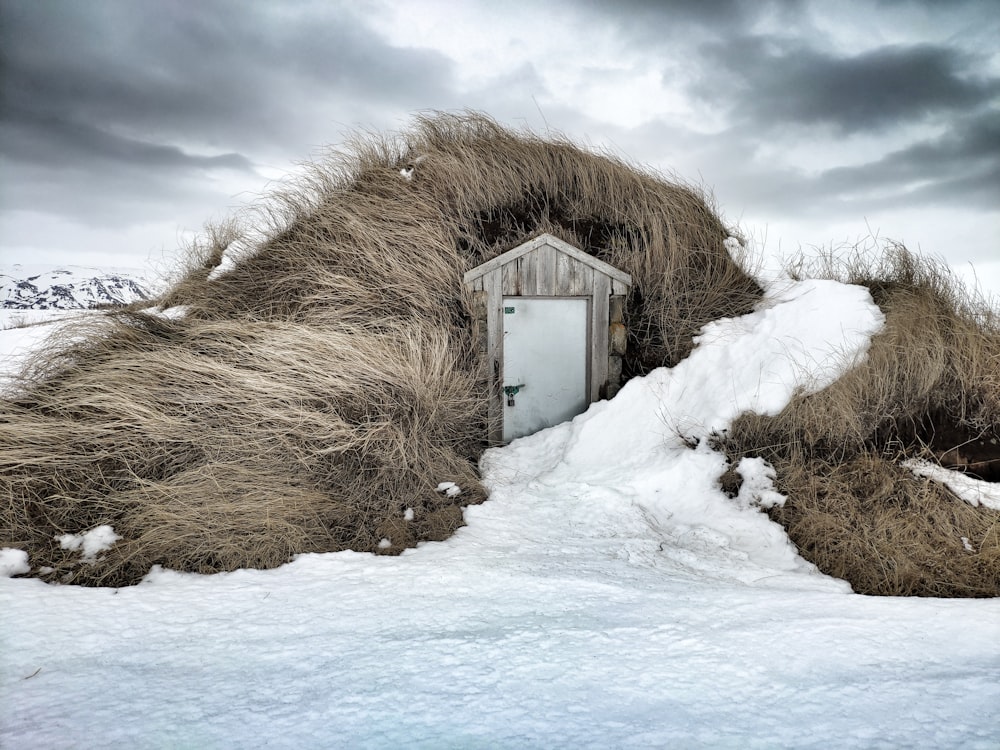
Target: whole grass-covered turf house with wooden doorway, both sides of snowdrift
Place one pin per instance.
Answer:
(332, 359)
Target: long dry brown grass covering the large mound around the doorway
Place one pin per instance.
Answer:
(328, 382)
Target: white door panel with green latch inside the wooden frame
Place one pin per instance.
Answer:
(545, 356)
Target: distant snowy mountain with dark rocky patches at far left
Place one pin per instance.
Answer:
(27, 287)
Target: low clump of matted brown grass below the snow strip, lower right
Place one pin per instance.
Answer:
(871, 522)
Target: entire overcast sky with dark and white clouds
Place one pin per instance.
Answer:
(126, 125)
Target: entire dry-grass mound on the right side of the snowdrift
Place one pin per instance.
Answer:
(929, 388)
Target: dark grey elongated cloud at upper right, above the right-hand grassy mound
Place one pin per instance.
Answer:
(772, 82)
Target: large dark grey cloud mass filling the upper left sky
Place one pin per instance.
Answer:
(221, 73)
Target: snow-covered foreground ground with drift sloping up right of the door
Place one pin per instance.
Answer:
(607, 595)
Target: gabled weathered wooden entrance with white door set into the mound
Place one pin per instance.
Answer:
(549, 319)
